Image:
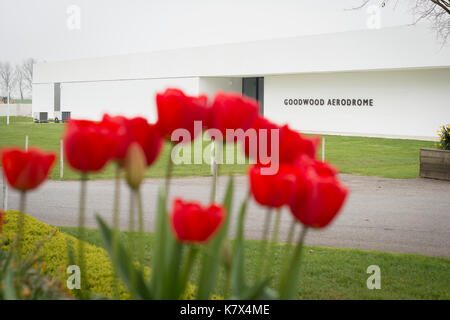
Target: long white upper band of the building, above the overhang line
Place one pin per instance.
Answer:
(374, 49)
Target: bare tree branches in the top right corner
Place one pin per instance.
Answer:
(437, 12)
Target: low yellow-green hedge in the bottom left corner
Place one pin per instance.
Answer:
(54, 254)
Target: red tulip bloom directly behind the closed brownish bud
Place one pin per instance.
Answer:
(134, 130)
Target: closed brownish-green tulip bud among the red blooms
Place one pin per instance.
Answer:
(135, 165)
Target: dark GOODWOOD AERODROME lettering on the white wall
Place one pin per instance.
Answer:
(357, 102)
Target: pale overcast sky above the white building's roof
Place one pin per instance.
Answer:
(48, 29)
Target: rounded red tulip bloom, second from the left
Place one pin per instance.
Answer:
(89, 145)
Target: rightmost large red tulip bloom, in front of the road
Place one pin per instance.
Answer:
(319, 195)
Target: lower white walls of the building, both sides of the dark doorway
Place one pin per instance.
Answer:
(412, 103)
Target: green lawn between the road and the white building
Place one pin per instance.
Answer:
(392, 158)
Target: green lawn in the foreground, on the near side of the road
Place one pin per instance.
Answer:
(333, 273)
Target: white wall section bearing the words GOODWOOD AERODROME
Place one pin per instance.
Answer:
(406, 103)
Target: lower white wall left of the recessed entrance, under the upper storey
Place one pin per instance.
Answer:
(89, 100)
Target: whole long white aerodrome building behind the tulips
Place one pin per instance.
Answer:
(391, 82)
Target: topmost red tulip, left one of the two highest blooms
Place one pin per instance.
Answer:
(179, 111)
